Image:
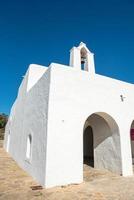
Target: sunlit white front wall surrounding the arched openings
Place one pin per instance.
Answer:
(74, 96)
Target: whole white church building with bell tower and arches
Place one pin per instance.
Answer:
(65, 116)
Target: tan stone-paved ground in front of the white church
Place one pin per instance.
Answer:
(98, 185)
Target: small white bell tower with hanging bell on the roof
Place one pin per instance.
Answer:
(82, 59)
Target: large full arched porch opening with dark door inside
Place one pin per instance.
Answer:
(101, 143)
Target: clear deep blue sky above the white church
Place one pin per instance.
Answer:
(39, 31)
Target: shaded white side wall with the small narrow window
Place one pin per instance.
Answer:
(30, 117)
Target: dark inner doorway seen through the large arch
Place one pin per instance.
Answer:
(88, 147)
